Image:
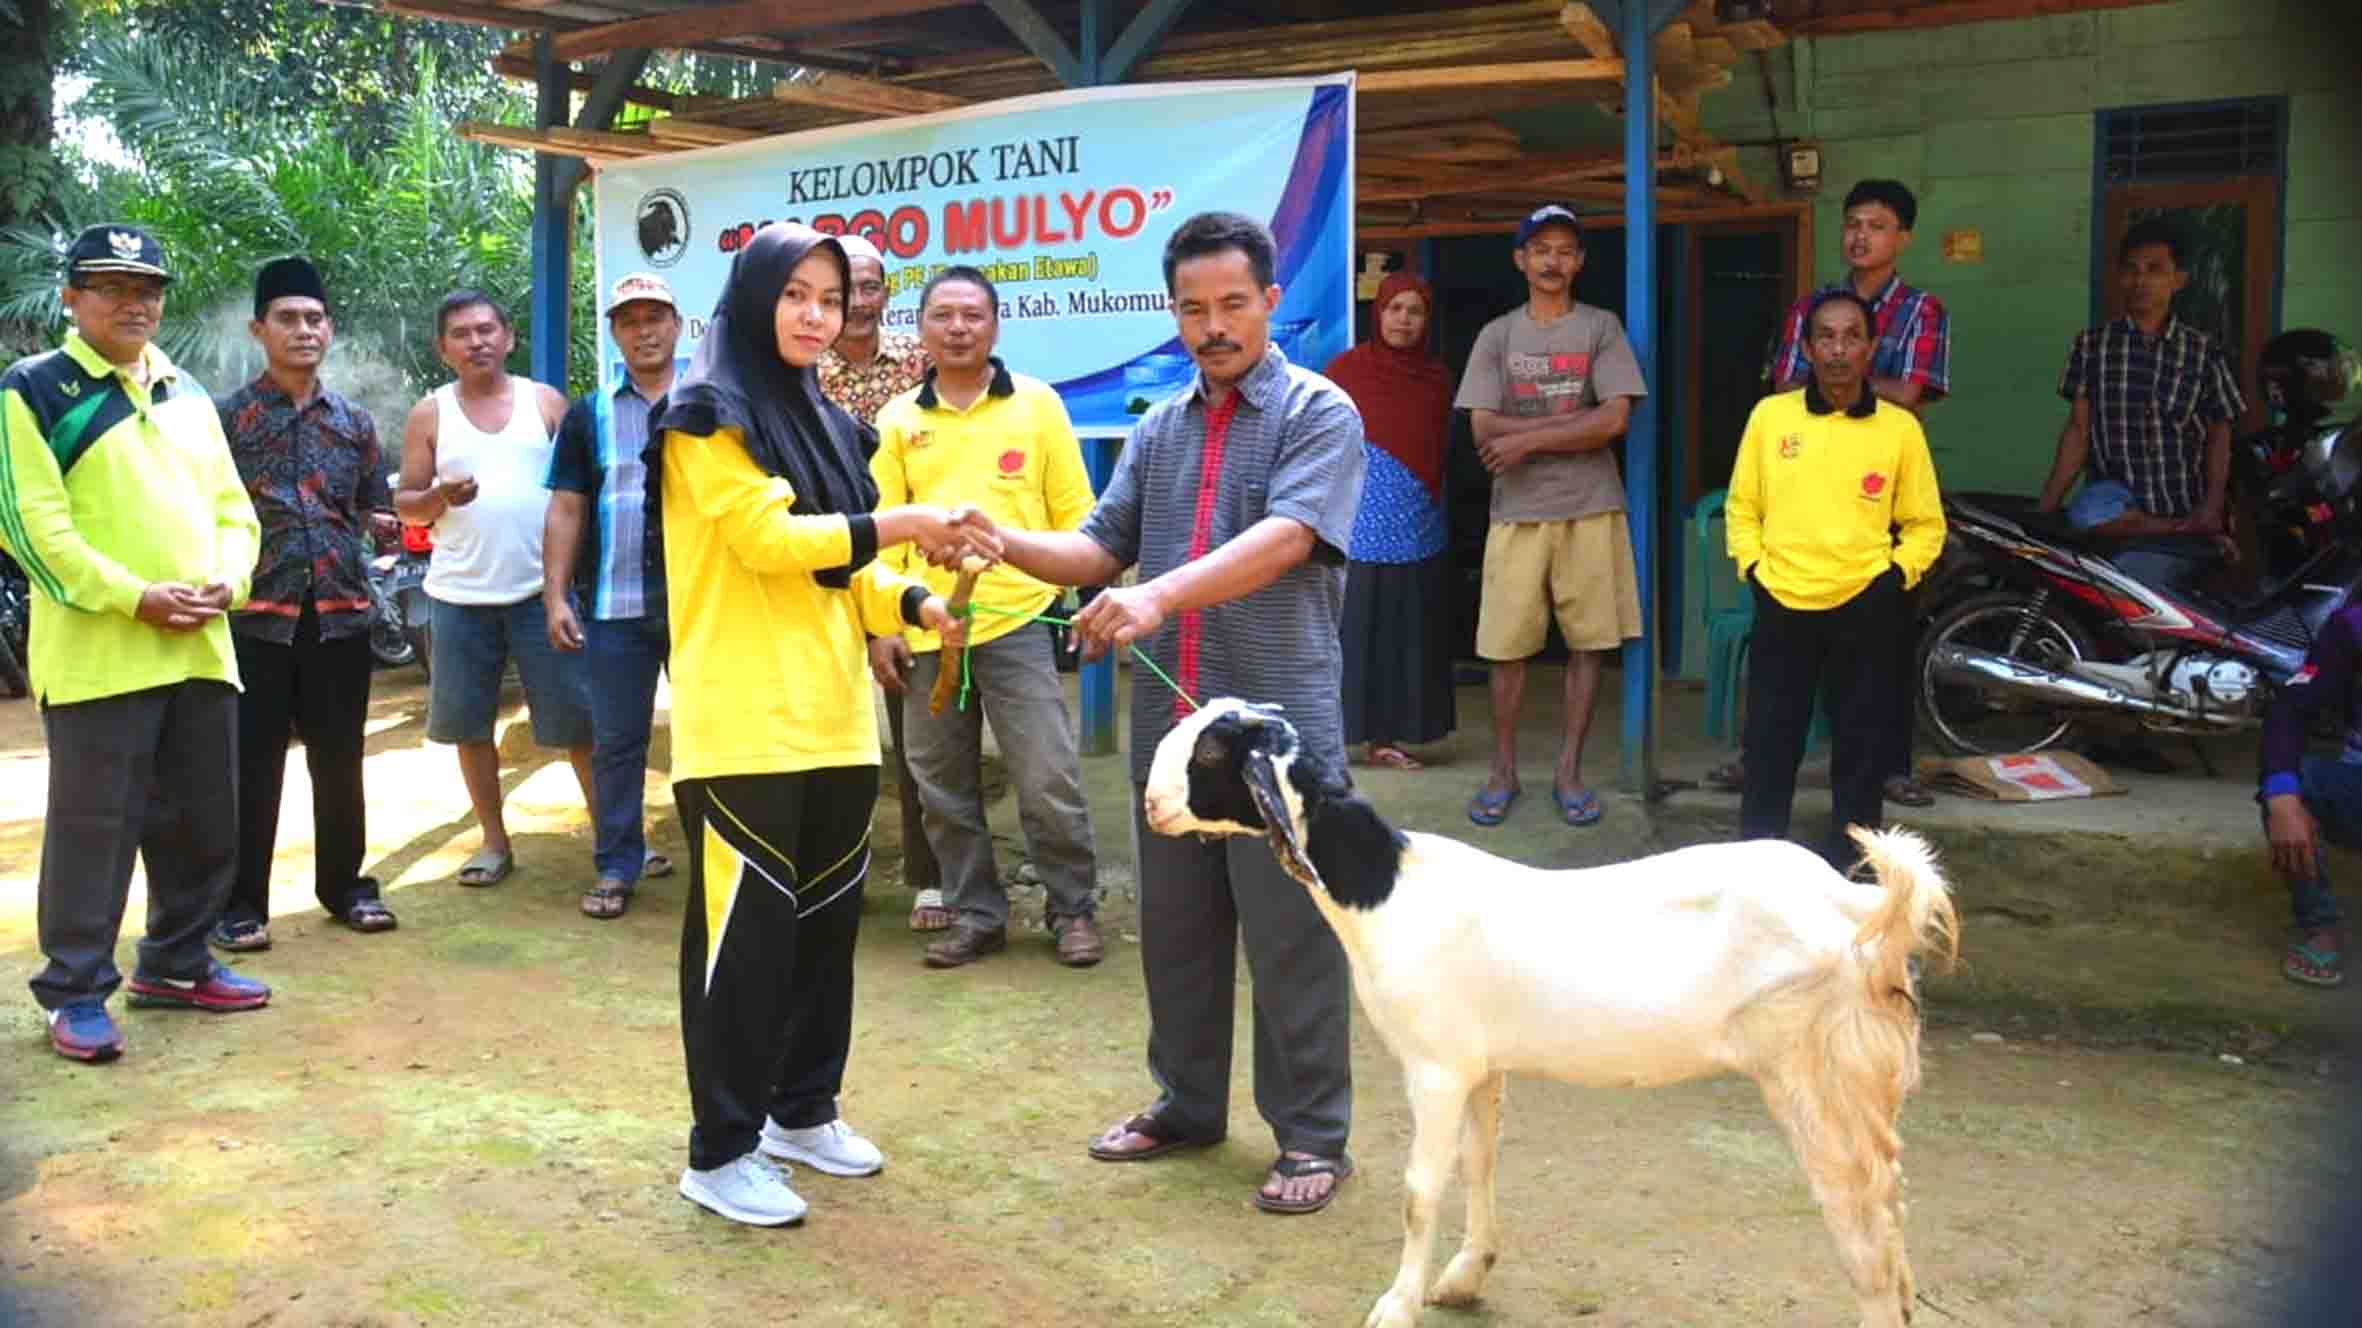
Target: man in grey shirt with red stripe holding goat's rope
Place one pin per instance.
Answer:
(1237, 502)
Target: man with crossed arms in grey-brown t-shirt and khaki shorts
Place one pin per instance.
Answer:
(1548, 391)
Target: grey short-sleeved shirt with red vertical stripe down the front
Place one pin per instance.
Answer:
(1192, 479)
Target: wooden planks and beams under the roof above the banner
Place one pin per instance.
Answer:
(1435, 155)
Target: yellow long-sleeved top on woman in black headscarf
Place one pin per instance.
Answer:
(771, 670)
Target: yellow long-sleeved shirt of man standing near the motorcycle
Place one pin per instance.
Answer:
(1818, 495)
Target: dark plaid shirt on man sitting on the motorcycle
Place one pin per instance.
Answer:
(2151, 408)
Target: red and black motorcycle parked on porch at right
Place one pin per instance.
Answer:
(2037, 632)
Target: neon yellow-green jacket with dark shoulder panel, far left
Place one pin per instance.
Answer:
(105, 490)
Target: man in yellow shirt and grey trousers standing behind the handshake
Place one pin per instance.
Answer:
(979, 436)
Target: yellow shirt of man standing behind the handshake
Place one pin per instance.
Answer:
(1012, 455)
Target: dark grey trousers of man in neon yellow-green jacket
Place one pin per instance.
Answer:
(150, 774)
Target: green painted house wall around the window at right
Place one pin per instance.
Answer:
(1992, 126)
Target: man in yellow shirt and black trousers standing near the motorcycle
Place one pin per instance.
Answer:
(1825, 481)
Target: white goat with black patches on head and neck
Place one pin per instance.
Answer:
(1733, 958)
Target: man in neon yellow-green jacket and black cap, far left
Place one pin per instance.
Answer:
(124, 507)
